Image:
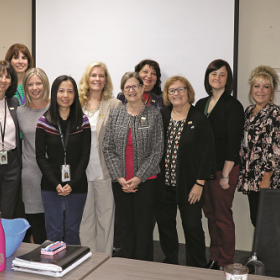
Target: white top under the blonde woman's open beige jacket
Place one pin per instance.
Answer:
(94, 171)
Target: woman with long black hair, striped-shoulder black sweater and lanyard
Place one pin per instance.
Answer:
(63, 140)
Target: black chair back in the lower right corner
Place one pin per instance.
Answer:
(266, 246)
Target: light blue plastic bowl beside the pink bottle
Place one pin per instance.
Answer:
(15, 230)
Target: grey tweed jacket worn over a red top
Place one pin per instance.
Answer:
(147, 138)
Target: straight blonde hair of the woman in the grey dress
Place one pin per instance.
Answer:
(44, 78)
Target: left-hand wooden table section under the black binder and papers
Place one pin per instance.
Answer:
(80, 272)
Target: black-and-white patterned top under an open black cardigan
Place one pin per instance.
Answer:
(173, 135)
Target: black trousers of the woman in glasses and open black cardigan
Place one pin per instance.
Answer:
(191, 215)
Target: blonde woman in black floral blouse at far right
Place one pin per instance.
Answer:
(260, 148)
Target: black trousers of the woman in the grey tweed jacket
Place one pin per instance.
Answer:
(136, 216)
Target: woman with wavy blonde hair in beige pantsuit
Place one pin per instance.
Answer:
(96, 97)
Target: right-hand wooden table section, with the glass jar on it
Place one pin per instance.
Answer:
(126, 269)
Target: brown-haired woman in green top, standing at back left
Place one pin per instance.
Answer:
(20, 58)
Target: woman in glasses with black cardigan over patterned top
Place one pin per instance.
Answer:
(188, 161)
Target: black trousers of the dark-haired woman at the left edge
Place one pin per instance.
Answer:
(10, 176)
